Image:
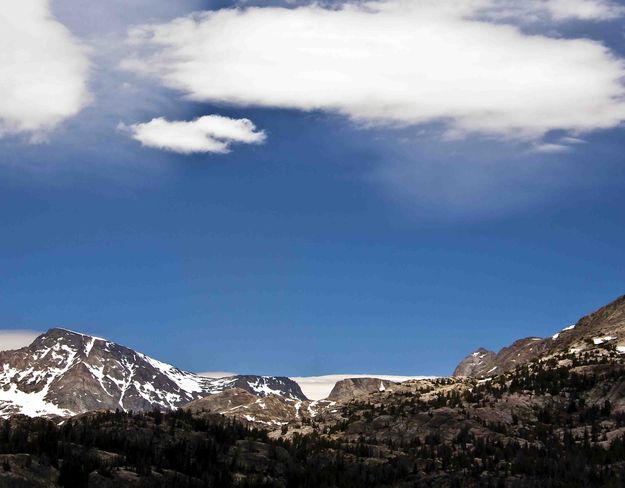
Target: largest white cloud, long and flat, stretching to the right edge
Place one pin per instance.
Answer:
(395, 61)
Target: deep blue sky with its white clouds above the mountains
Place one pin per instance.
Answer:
(357, 222)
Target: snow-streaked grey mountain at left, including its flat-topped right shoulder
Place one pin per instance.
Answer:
(66, 373)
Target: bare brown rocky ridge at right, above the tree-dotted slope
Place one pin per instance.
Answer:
(605, 326)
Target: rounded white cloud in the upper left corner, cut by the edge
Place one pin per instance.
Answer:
(44, 69)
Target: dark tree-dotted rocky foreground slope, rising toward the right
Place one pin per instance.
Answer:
(557, 419)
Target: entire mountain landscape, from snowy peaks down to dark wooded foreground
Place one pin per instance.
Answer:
(540, 412)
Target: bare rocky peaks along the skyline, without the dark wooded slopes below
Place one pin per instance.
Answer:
(64, 373)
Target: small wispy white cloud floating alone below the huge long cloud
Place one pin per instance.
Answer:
(208, 134)
